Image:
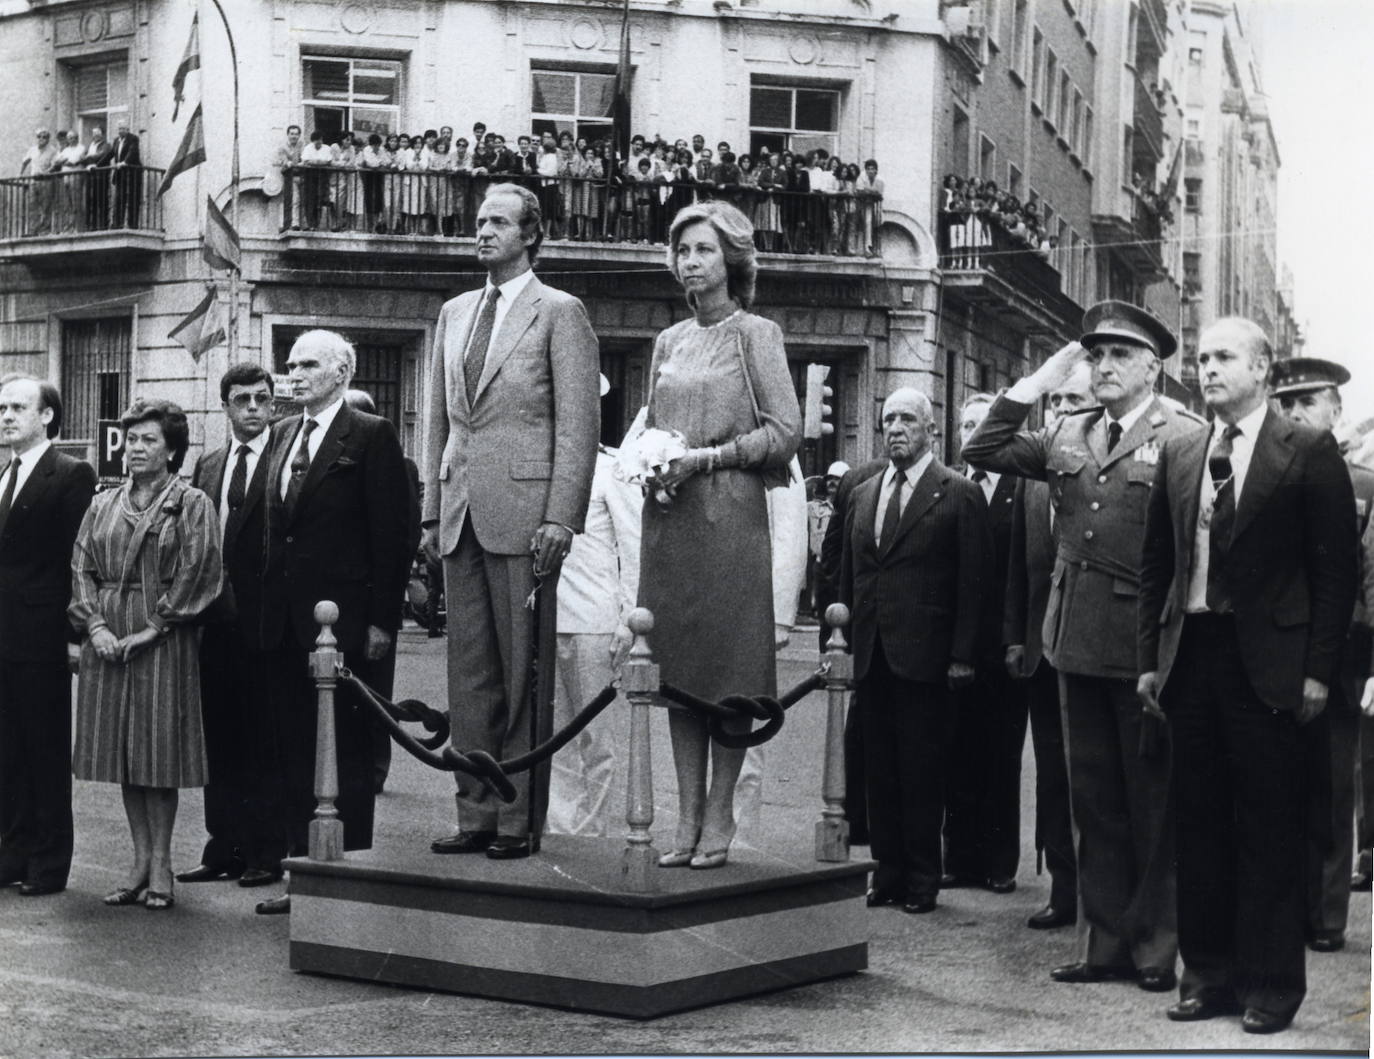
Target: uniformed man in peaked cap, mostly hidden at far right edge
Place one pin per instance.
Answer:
(1309, 392)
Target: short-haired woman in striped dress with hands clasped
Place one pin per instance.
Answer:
(146, 564)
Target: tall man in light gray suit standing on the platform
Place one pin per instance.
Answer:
(515, 418)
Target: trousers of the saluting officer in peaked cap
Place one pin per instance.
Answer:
(1125, 843)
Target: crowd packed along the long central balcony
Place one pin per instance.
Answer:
(432, 183)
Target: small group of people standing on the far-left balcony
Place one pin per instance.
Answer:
(82, 187)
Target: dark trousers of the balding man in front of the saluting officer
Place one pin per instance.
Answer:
(1240, 804)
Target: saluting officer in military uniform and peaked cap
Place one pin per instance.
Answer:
(1100, 466)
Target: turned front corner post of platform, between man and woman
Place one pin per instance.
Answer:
(640, 682)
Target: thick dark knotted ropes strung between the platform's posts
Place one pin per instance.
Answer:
(482, 766)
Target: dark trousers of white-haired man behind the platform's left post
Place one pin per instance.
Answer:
(296, 708)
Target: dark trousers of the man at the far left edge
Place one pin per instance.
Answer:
(35, 773)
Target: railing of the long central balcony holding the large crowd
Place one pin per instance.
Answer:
(439, 205)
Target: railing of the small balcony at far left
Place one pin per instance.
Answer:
(82, 201)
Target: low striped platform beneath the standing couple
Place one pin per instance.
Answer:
(559, 929)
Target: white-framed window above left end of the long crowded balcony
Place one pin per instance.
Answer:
(351, 94)
